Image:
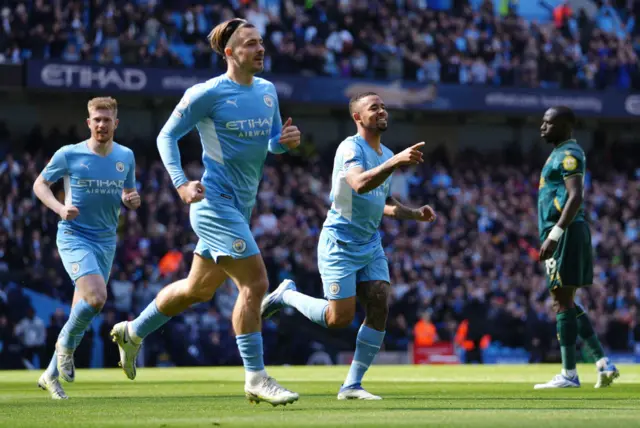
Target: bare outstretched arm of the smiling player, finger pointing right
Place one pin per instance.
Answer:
(365, 181)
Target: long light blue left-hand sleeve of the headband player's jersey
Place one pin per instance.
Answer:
(195, 105)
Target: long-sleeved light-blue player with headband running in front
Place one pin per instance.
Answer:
(238, 118)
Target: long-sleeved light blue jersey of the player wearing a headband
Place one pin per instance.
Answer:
(237, 124)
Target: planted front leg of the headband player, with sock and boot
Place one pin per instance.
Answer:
(250, 276)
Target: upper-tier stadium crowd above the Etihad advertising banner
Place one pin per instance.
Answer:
(410, 40)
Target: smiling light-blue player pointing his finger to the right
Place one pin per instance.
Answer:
(351, 260)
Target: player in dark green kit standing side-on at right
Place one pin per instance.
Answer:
(566, 247)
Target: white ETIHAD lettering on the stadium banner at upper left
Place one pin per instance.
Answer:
(84, 76)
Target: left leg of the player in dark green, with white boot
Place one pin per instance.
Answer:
(567, 334)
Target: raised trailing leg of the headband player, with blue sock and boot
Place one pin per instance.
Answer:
(205, 277)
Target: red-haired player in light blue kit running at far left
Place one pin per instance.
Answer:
(99, 175)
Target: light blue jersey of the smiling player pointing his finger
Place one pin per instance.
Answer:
(355, 218)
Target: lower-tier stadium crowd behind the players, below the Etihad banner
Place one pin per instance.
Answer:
(477, 263)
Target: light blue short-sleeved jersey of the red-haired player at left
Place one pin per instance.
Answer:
(93, 184)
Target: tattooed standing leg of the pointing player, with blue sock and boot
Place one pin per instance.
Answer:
(373, 296)
